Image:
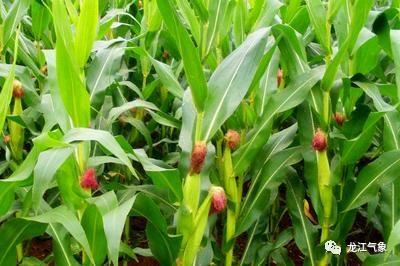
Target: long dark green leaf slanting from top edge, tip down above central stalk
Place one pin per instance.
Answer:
(190, 54)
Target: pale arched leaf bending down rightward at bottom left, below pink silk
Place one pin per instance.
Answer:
(62, 215)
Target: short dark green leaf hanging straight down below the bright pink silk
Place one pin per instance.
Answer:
(92, 223)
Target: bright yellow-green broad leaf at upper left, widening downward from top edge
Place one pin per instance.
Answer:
(71, 87)
